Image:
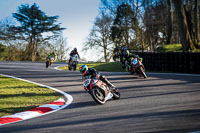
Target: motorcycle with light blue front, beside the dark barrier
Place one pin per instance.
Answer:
(137, 67)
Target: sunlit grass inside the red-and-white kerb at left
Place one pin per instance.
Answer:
(17, 95)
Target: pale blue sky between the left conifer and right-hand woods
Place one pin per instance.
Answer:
(75, 15)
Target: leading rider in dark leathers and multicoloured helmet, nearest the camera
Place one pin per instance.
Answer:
(95, 74)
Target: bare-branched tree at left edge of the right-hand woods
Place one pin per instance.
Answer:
(100, 36)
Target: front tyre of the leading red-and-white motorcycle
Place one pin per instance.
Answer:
(98, 96)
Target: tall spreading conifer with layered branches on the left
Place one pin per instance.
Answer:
(33, 24)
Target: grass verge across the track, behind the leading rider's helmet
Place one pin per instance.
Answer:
(109, 67)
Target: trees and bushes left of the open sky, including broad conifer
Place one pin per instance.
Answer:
(33, 36)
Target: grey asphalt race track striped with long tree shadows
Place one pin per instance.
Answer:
(161, 103)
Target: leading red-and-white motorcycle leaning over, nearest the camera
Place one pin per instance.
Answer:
(99, 91)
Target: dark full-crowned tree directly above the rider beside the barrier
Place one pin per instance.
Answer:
(124, 26)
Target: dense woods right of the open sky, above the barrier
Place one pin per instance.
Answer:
(145, 25)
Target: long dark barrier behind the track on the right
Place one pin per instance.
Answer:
(181, 62)
